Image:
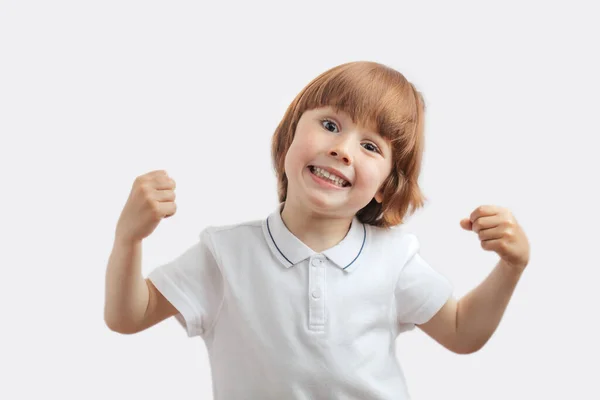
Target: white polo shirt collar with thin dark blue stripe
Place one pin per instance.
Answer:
(290, 250)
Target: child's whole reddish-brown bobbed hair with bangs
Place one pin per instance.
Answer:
(373, 95)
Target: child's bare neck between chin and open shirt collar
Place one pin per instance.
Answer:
(318, 232)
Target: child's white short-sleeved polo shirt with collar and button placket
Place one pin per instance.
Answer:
(281, 321)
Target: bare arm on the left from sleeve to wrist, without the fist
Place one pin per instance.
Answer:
(132, 303)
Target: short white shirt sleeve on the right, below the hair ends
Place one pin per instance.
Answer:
(420, 290)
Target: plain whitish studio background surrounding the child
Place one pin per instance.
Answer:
(93, 94)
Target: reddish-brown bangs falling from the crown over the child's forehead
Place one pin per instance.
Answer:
(373, 95)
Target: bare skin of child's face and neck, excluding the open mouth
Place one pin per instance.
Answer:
(319, 214)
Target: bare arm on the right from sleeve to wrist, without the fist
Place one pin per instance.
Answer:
(464, 326)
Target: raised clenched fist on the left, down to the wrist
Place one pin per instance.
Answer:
(152, 198)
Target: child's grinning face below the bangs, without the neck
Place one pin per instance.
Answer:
(330, 140)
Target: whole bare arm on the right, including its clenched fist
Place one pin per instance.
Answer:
(464, 326)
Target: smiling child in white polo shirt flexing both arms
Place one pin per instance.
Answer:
(307, 302)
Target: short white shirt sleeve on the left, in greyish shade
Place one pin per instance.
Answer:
(193, 283)
